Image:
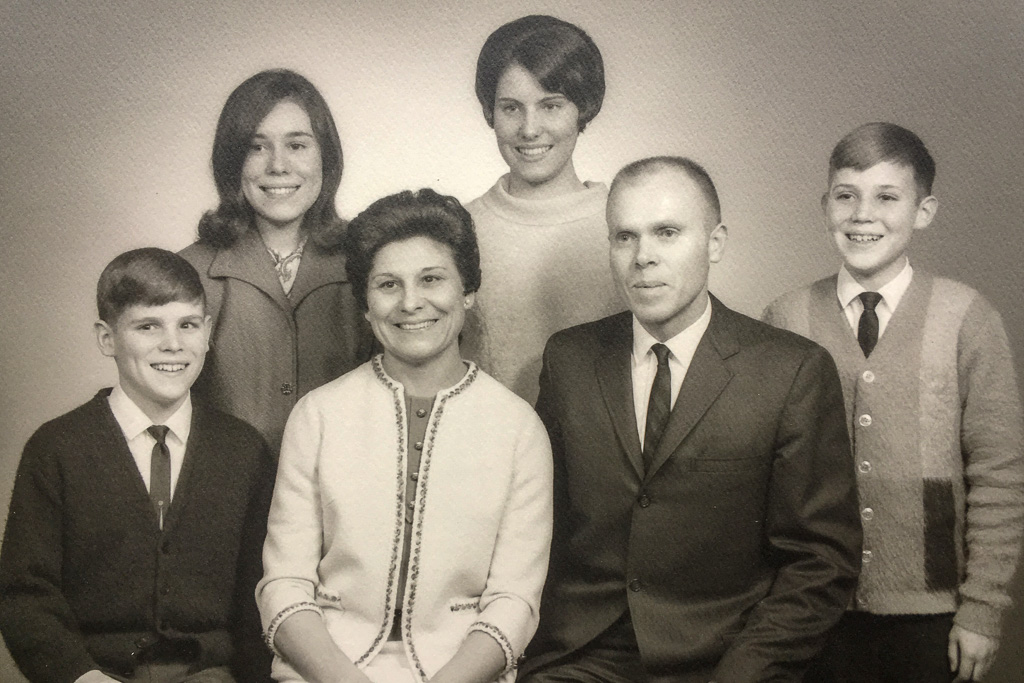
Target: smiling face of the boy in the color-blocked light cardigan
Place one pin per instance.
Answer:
(872, 216)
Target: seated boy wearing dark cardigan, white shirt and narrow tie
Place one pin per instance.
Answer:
(137, 524)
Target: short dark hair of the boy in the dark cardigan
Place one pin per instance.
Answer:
(147, 277)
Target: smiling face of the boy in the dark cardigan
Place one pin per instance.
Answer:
(159, 352)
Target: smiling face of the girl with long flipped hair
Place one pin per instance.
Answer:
(283, 173)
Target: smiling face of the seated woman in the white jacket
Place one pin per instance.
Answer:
(416, 305)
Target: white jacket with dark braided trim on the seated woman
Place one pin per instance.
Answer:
(482, 526)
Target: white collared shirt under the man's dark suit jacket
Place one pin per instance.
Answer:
(645, 363)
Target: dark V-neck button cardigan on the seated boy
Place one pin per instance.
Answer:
(88, 579)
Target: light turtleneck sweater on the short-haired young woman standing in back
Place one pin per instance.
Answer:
(545, 266)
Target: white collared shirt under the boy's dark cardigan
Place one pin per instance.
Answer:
(135, 423)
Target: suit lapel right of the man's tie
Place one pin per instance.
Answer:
(706, 379)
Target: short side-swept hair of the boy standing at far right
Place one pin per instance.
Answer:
(876, 143)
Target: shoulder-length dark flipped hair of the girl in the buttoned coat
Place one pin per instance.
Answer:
(245, 110)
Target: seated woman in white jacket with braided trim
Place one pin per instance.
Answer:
(411, 524)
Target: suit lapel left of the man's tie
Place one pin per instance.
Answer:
(616, 381)
